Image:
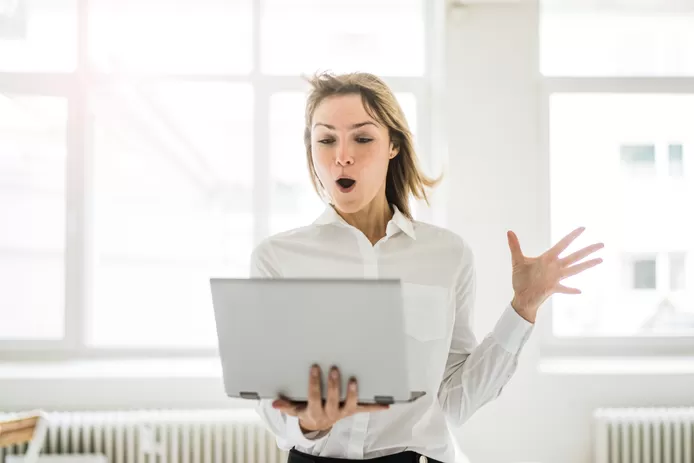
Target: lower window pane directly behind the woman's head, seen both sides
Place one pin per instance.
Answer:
(294, 202)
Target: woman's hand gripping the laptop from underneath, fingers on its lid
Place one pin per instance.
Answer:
(318, 416)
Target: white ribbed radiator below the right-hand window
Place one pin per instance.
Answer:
(644, 435)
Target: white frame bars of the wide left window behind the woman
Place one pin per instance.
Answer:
(76, 86)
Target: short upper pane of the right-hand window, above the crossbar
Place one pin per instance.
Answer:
(652, 38)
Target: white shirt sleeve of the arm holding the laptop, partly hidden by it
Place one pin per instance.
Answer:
(285, 428)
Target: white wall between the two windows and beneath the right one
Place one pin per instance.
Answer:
(500, 183)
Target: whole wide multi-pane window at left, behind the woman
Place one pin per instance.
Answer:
(146, 147)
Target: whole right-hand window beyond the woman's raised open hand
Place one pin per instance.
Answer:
(619, 103)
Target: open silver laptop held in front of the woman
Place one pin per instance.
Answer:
(271, 331)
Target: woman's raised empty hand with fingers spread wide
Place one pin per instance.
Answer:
(536, 278)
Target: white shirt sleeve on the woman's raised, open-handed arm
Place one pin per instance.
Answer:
(476, 373)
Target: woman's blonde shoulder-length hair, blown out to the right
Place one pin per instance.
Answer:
(404, 176)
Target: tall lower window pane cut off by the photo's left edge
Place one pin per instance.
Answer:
(32, 213)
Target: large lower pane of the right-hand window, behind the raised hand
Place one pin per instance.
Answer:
(642, 217)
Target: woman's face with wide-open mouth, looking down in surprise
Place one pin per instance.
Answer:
(351, 152)
